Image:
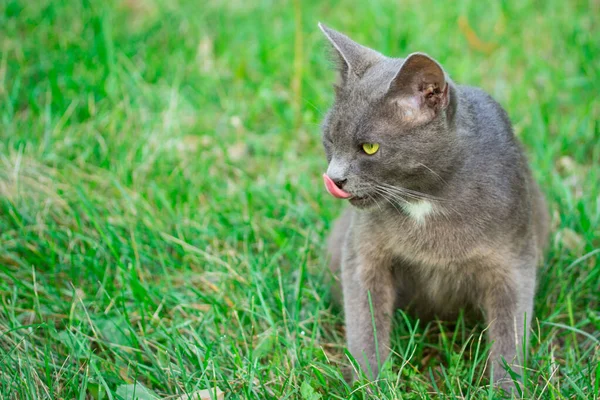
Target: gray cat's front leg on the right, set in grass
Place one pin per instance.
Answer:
(508, 304)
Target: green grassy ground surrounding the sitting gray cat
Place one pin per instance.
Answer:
(162, 217)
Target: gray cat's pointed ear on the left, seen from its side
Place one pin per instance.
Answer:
(352, 59)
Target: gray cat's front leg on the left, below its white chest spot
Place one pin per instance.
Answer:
(368, 285)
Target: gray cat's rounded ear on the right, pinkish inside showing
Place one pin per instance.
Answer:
(420, 88)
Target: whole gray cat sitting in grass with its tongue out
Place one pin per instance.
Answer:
(446, 215)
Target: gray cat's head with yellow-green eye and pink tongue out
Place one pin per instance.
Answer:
(390, 126)
